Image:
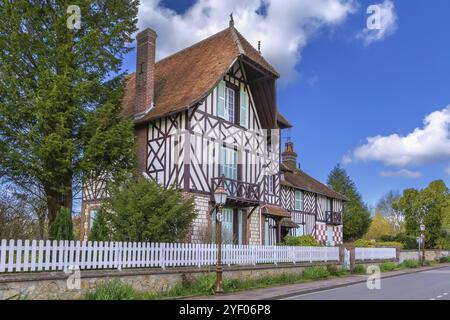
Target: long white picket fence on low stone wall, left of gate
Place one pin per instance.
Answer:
(22, 256)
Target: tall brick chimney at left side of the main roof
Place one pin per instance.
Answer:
(145, 71)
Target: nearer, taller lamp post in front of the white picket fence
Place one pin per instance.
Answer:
(220, 198)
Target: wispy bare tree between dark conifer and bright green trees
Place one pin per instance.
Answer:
(386, 206)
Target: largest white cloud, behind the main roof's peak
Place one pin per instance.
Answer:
(283, 27)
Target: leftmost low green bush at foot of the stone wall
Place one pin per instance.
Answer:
(113, 290)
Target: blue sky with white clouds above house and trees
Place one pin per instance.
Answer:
(340, 90)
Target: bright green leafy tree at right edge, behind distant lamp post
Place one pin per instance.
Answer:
(428, 205)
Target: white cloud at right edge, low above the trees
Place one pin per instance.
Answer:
(425, 145)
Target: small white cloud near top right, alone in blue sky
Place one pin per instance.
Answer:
(383, 14)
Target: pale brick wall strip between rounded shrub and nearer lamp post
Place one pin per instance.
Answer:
(199, 233)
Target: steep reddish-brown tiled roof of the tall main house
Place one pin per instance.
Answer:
(188, 76)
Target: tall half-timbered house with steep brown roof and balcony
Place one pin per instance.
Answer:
(207, 116)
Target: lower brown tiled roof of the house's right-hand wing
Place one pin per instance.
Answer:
(300, 180)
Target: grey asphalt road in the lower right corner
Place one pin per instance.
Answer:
(427, 285)
